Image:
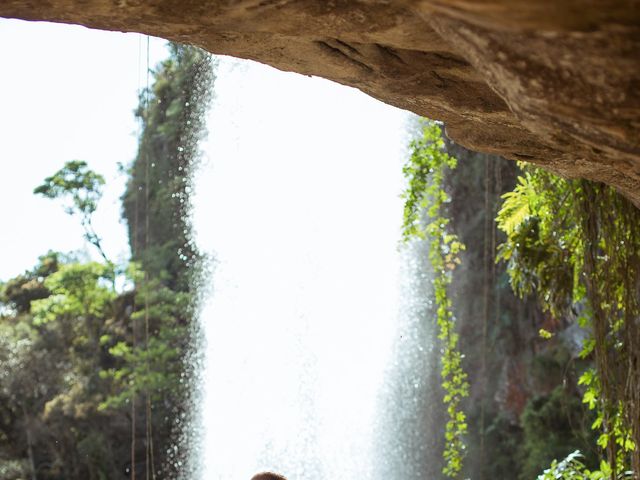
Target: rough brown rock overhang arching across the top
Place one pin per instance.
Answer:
(555, 82)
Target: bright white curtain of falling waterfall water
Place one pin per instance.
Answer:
(298, 201)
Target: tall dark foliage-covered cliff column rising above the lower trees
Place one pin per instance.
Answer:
(156, 203)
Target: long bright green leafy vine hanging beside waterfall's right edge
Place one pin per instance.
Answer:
(425, 193)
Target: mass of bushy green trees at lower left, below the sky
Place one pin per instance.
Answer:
(76, 357)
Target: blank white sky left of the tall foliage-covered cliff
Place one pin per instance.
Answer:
(66, 92)
